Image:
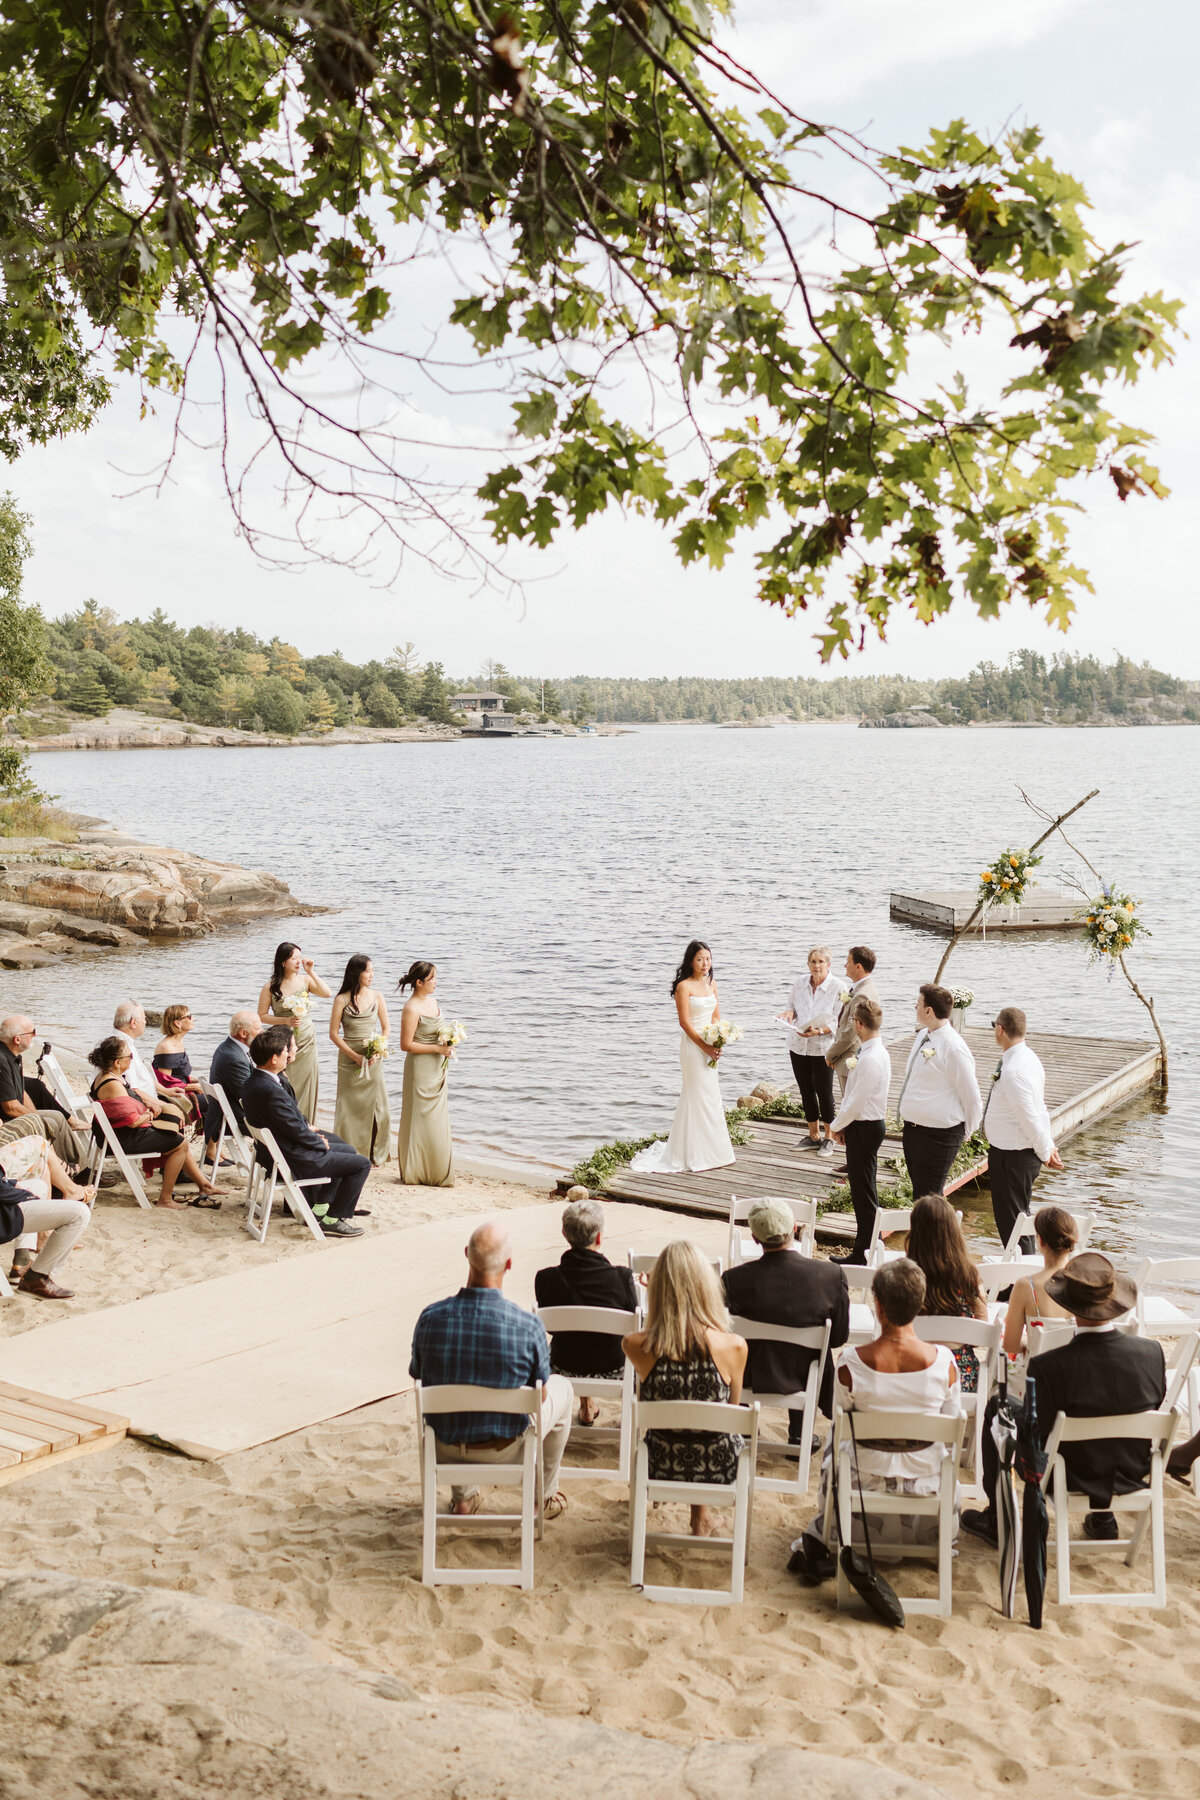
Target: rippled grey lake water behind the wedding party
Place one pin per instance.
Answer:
(557, 881)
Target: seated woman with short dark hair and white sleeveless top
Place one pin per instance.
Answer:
(895, 1374)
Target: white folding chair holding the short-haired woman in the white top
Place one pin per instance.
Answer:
(918, 1428)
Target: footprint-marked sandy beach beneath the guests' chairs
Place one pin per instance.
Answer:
(323, 1531)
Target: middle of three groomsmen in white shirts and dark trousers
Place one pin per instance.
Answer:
(940, 1101)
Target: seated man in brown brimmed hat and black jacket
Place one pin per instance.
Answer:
(1100, 1372)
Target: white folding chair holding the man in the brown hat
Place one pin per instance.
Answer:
(1145, 1506)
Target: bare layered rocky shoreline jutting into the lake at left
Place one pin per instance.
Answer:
(109, 892)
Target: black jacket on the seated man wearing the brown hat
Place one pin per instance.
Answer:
(1097, 1374)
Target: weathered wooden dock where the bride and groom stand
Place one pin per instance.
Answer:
(1086, 1077)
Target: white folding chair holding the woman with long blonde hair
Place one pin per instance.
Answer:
(694, 1416)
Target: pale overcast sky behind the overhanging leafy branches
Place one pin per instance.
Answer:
(1115, 93)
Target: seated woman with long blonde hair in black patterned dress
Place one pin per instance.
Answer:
(688, 1353)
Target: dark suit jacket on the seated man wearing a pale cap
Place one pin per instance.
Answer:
(784, 1288)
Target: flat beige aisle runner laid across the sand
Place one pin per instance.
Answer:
(247, 1358)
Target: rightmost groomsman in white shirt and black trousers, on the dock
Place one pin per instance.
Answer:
(1017, 1126)
